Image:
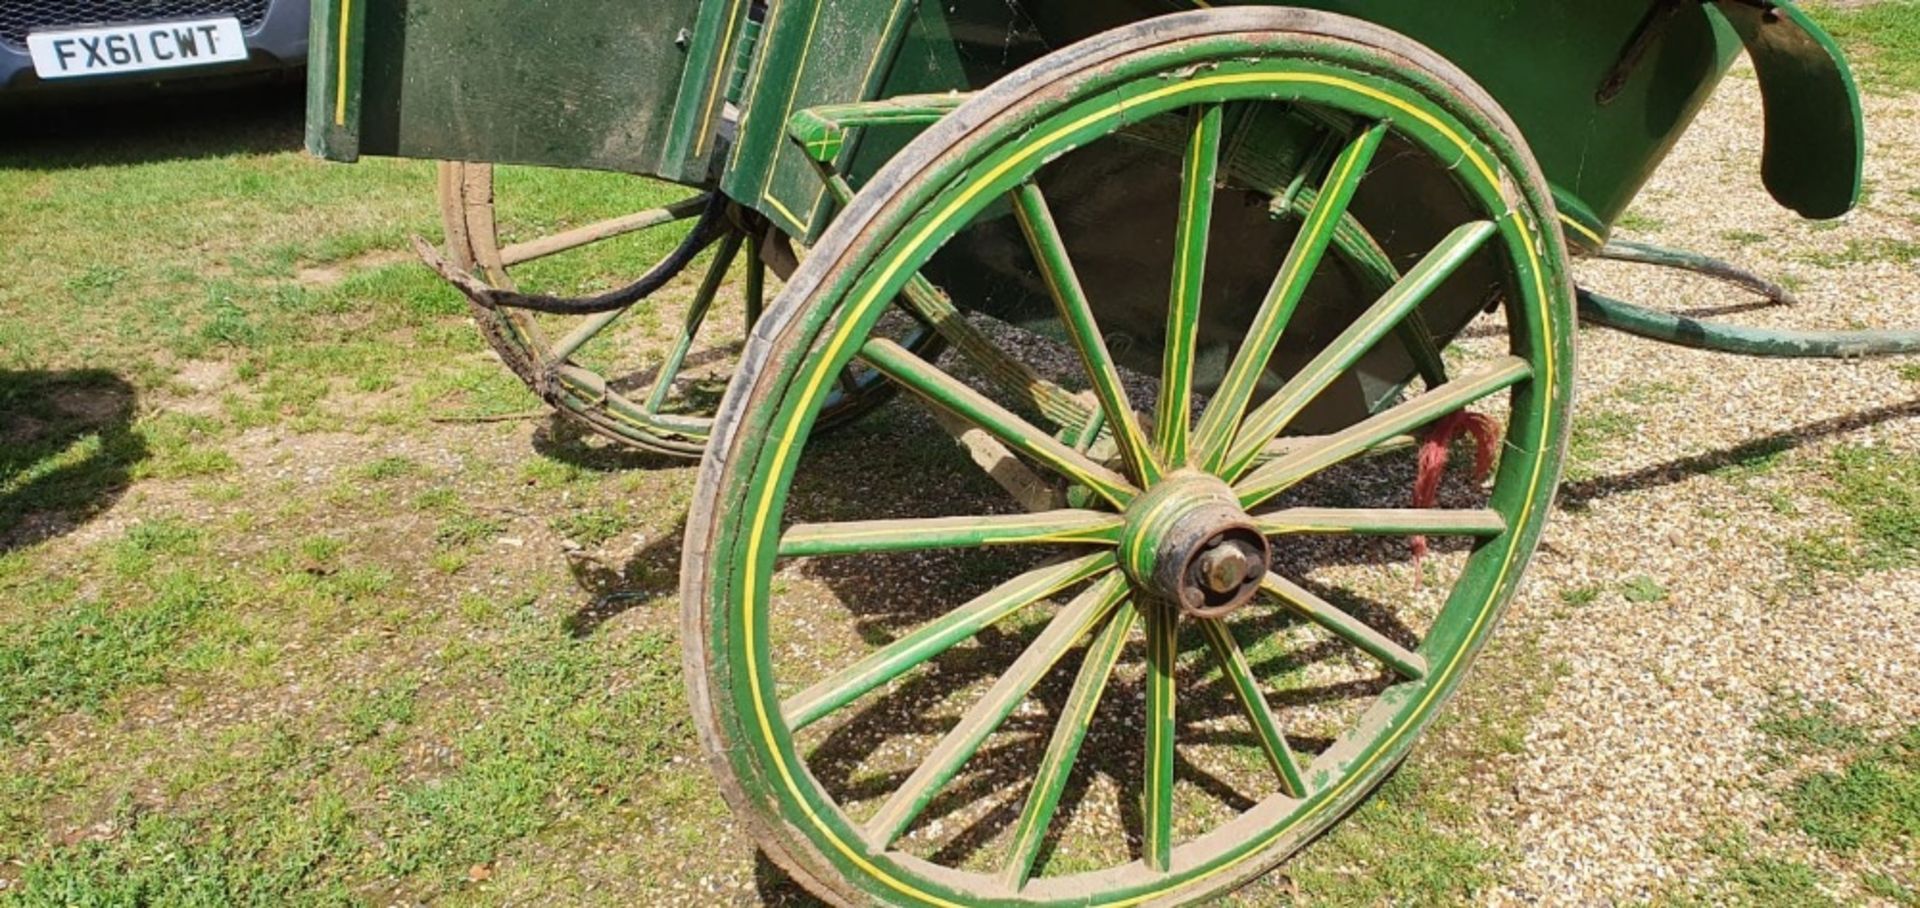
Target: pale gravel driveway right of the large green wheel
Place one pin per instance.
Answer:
(1673, 592)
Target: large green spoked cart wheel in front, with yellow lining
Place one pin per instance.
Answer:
(1195, 661)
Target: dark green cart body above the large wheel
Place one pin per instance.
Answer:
(702, 91)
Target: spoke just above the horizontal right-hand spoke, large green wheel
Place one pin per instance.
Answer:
(1285, 471)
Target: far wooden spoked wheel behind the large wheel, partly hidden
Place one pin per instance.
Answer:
(656, 385)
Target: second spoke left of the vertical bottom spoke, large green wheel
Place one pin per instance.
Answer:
(940, 767)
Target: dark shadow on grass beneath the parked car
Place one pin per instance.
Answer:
(143, 126)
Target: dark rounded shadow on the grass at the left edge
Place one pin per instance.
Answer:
(66, 450)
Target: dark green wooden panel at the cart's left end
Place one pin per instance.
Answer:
(575, 84)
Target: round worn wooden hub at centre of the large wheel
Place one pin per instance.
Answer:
(1191, 546)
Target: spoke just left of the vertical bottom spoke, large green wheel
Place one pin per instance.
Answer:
(1065, 748)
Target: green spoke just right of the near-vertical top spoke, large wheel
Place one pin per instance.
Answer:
(1310, 247)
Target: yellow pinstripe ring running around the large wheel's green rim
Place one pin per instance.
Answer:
(838, 343)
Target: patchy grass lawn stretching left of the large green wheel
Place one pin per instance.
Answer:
(287, 615)
